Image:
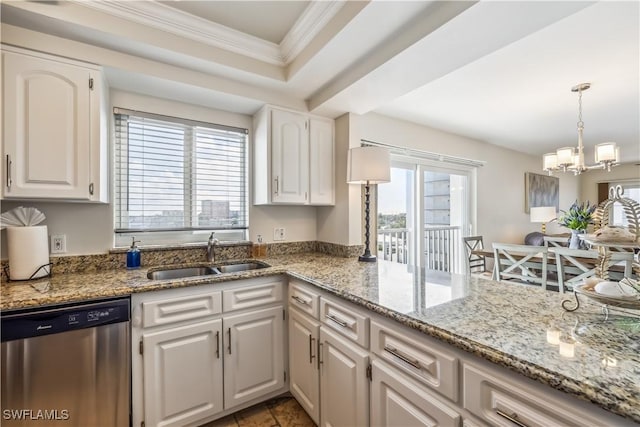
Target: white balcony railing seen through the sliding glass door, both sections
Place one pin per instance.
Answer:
(443, 249)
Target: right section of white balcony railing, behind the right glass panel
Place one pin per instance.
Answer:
(443, 248)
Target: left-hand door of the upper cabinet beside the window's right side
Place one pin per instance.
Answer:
(289, 157)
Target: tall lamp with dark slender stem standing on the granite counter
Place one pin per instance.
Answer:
(368, 165)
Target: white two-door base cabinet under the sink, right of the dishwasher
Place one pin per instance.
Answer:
(196, 359)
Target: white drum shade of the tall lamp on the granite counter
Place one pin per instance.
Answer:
(368, 165)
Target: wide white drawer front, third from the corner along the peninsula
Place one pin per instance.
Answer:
(417, 356)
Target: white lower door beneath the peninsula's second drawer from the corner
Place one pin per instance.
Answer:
(344, 387)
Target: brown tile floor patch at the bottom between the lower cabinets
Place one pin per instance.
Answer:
(281, 411)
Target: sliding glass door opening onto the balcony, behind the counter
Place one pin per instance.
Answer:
(423, 213)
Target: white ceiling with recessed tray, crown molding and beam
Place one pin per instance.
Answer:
(494, 71)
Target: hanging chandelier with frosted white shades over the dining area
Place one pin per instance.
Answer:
(570, 159)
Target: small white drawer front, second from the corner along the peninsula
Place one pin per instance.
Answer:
(346, 320)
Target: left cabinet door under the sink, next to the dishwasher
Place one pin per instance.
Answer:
(182, 374)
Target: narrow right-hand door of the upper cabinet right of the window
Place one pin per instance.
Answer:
(321, 162)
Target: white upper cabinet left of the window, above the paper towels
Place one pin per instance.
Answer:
(54, 137)
